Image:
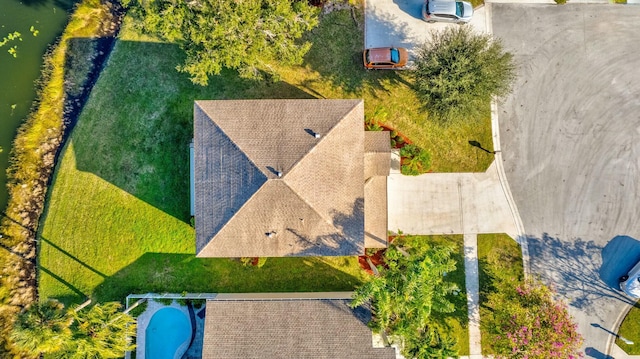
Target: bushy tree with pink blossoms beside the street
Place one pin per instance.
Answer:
(527, 323)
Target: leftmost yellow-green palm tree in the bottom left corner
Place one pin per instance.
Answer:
(42, 328)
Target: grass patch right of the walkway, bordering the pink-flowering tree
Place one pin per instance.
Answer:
(491, 248)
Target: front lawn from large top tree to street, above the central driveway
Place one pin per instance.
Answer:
(333, 69)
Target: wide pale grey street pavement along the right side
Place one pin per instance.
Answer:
(570, 136)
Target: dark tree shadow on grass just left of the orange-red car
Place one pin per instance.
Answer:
(336, 54)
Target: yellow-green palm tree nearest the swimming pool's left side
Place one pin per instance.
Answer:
(100, 332)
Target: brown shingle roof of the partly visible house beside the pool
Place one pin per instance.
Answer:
(296, 328)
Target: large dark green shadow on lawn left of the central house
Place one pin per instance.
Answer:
(135, 129)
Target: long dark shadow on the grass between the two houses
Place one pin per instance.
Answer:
(175, 273)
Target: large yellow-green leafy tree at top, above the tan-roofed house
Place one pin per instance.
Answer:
(245, 35)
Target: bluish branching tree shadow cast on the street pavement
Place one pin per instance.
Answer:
(579, 270)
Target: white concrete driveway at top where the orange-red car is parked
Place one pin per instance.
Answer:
(399, 23)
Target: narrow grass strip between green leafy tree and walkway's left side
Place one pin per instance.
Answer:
(457, 322)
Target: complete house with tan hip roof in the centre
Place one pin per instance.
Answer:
(275, 178)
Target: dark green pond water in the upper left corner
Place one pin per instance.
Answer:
(39, 23)
